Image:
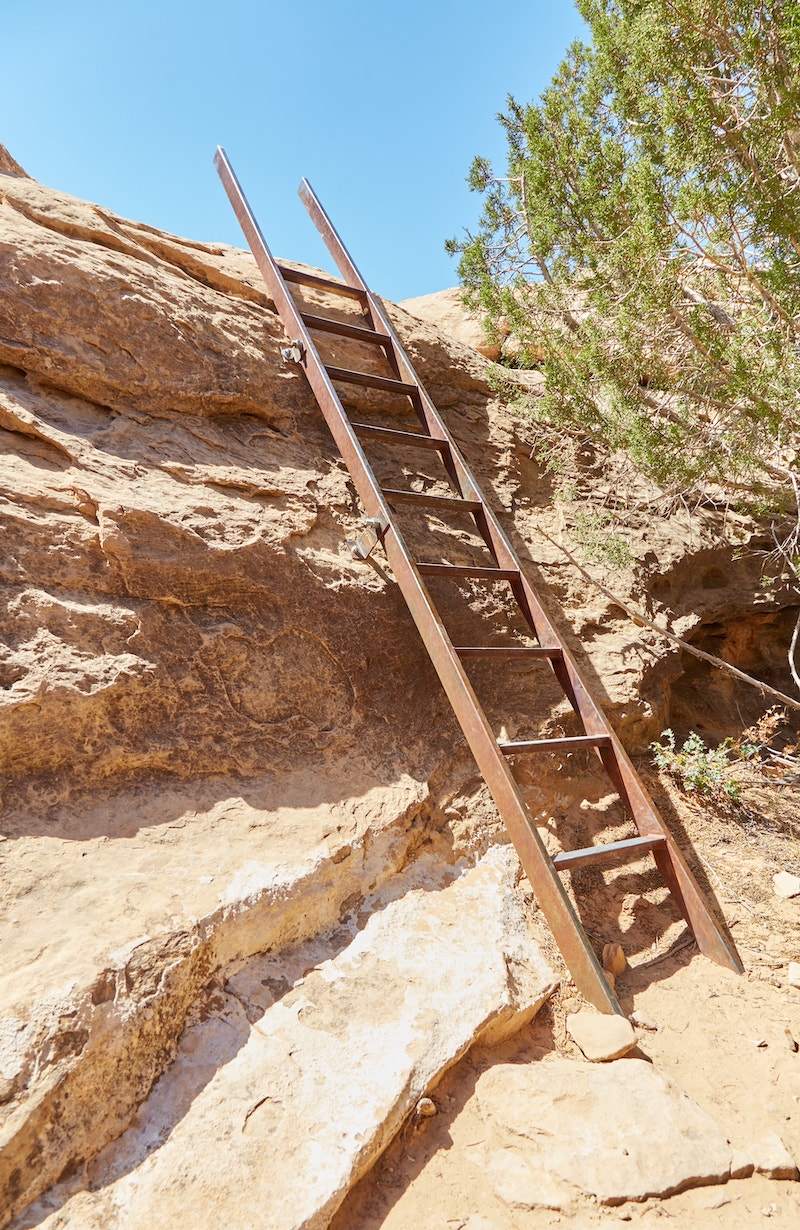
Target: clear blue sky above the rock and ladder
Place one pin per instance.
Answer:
(382, 106)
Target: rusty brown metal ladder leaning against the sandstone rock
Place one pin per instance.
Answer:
(382, 527)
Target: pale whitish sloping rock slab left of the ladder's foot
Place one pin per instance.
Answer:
(275, 1108)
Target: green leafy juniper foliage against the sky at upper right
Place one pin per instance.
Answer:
(647, 238)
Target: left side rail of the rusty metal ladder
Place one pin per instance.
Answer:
(556, 905)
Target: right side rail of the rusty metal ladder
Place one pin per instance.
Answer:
(670, 860)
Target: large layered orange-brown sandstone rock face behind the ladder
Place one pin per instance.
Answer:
(221, 734)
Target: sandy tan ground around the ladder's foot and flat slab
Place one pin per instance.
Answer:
(721, 1036)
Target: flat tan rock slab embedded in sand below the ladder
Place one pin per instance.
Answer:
(620, 1132)
